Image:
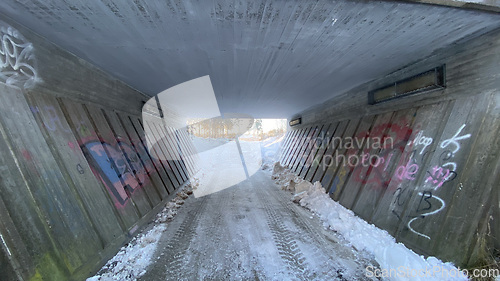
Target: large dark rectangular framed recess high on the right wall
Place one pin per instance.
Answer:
(426, 81)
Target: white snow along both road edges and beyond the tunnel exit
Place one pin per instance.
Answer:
(396, 261)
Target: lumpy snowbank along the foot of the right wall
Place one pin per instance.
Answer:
(397, 261)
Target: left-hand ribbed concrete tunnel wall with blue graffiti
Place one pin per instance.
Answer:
(76, 181)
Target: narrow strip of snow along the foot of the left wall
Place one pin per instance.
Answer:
(132, 260)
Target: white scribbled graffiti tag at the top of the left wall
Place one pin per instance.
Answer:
(17, 62)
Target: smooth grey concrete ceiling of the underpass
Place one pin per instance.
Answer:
(265, 58)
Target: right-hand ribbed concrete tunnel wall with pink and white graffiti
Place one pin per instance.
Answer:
(435, 185)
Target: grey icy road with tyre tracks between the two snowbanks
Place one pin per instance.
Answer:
(251, 231)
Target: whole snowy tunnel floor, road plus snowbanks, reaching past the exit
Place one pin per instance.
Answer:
(241, 225)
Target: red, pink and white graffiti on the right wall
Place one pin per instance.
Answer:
(403, 160)
